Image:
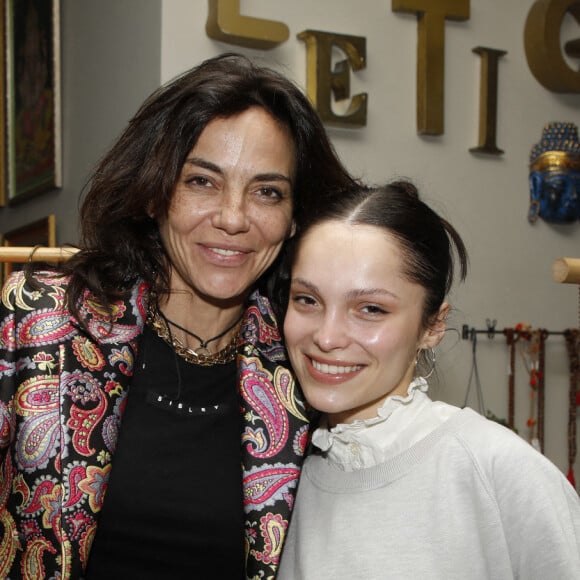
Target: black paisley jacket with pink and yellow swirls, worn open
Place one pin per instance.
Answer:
(62, 394)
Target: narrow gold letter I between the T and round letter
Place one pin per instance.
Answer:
(488, 101)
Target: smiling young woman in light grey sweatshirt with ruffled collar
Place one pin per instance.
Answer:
(397, 485)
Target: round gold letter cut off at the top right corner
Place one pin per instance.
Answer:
(542, 44)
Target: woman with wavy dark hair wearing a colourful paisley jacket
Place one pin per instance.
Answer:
(135, 369)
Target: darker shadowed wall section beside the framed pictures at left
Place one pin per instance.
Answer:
(111, 54)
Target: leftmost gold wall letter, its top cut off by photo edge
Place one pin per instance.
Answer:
(225, 23)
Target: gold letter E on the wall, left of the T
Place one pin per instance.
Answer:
(322, 83)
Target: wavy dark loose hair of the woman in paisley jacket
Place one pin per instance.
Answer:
(132, 186)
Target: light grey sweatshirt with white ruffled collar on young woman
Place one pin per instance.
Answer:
(465, 499)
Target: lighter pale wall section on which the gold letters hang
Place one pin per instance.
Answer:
(485, 197)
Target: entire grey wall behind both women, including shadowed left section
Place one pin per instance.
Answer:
(115, 52)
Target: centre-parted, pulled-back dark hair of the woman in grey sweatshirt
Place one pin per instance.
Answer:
(428, 240)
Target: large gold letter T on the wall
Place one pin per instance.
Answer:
(431, 15)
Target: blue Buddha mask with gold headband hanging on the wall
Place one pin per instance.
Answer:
(555, 175)
